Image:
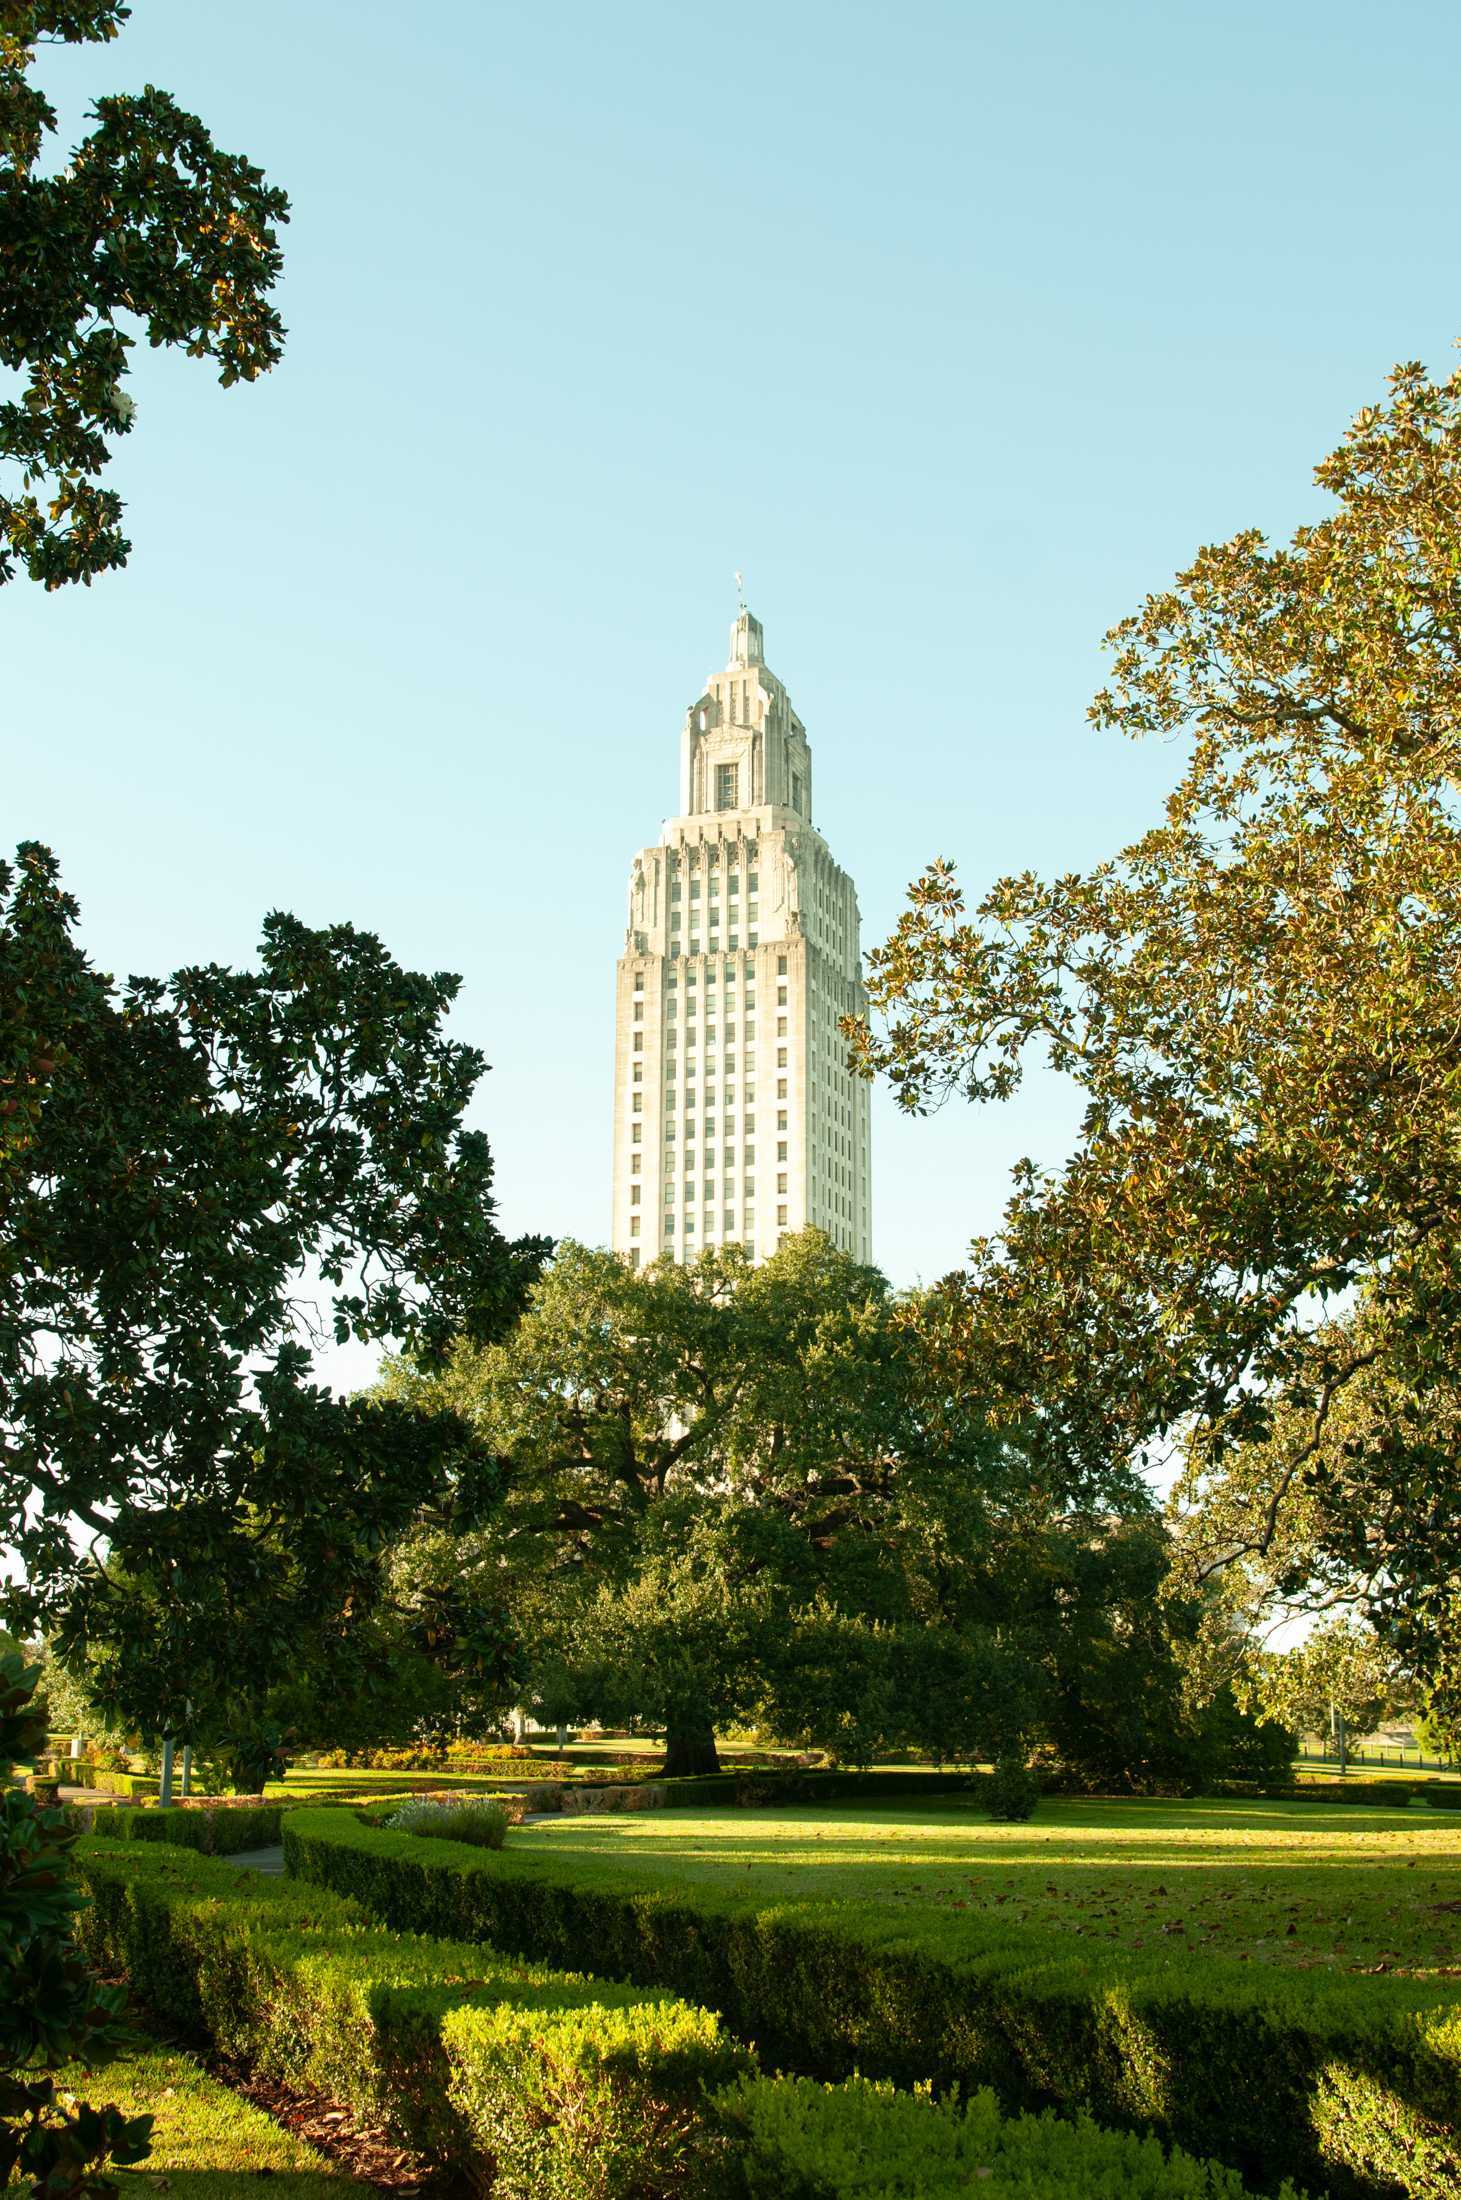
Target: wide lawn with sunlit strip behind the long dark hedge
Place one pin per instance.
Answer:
(1145, 1884)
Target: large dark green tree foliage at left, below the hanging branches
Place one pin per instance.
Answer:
(179, 1163)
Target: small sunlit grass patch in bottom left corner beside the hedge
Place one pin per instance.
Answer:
(208, 2144)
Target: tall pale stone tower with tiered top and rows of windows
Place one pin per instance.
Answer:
(736, 1119)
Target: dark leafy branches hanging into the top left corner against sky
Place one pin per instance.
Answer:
(151, 228)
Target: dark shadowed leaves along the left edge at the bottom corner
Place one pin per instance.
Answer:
(52, 2010)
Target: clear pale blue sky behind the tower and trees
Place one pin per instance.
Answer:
(956, 327)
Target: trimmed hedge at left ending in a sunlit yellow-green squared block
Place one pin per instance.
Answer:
(536, 2082)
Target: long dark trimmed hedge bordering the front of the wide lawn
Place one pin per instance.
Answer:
(1345, 2084)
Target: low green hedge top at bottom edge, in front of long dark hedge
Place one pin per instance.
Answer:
(866, 2142)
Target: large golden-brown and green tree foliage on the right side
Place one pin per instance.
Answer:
(1257, 1002)
